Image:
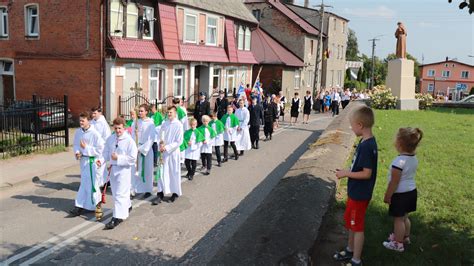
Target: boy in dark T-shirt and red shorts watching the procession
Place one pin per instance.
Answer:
(360, 185)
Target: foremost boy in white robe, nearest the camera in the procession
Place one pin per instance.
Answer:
(121, 154)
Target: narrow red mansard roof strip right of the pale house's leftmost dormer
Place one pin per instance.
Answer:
(169, 30)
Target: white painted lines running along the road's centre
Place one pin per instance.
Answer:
(52, 247)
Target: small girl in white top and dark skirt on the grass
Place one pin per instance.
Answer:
(401, 192)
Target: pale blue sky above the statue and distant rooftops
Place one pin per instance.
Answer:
(435, 28)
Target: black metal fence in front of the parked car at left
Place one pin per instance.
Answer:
(32, 125)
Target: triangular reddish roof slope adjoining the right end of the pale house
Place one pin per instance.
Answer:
(268, 51)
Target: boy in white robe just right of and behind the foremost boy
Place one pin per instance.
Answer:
(143, 180)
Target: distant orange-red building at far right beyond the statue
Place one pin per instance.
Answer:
(447, 77)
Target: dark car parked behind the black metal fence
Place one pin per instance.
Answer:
(22, 116)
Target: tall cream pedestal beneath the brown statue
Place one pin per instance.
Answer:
(401, 81)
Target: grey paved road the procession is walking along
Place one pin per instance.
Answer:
(191, 230)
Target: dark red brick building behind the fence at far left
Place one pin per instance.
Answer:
(51, 48)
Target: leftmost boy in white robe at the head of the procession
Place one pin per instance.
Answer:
(88, 147)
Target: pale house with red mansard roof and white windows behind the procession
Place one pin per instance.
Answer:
(192, 46)
